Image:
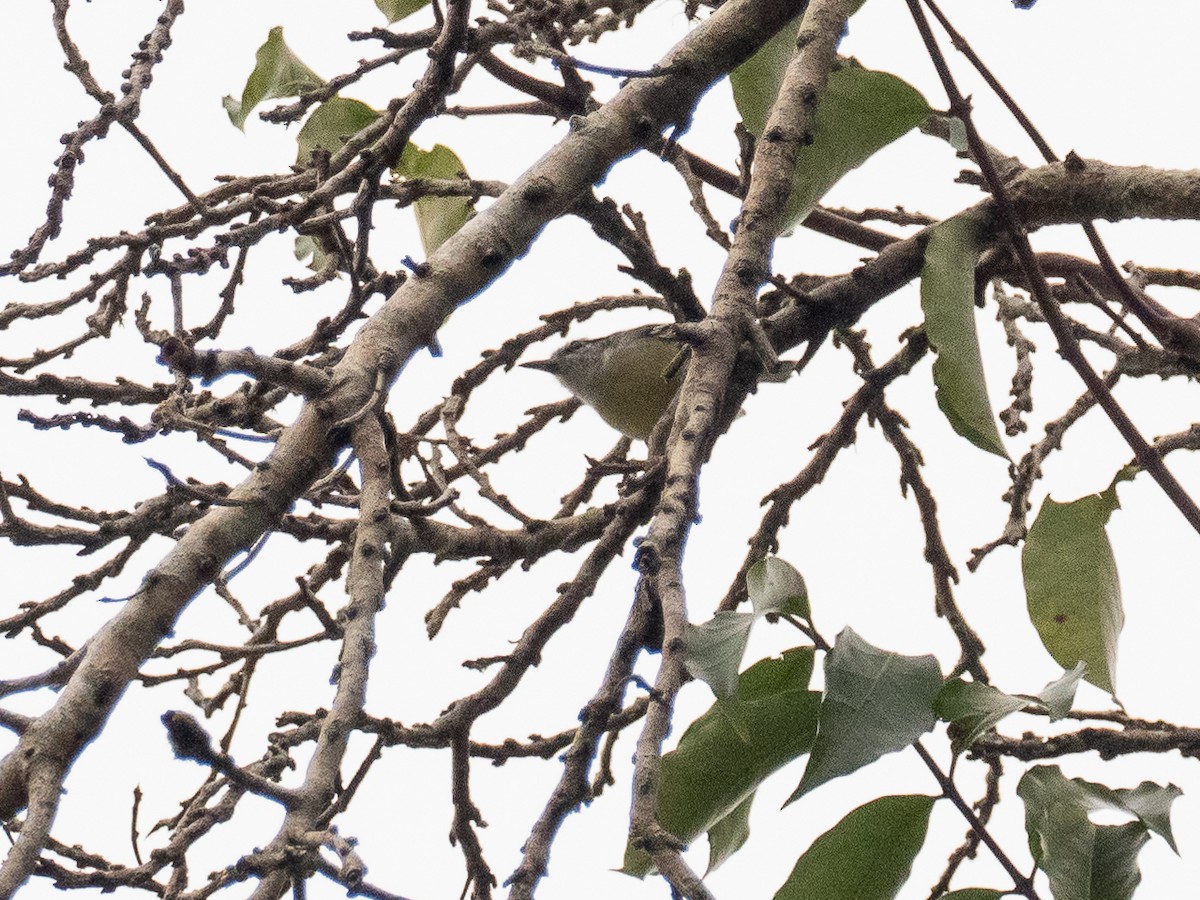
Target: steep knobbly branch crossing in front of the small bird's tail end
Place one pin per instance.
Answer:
(701, 399)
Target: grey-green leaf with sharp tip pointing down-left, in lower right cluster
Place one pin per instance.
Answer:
(875, 703)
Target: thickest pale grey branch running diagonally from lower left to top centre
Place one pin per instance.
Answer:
(478, 255)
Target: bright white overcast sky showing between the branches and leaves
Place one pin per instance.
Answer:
(1094, 77)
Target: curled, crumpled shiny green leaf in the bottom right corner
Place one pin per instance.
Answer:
(1078, 856)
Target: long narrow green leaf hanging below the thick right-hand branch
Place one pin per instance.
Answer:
(947, 298)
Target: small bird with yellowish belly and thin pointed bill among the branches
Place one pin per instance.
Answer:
(629, 377)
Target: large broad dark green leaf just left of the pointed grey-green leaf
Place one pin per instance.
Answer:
(717, 766)
